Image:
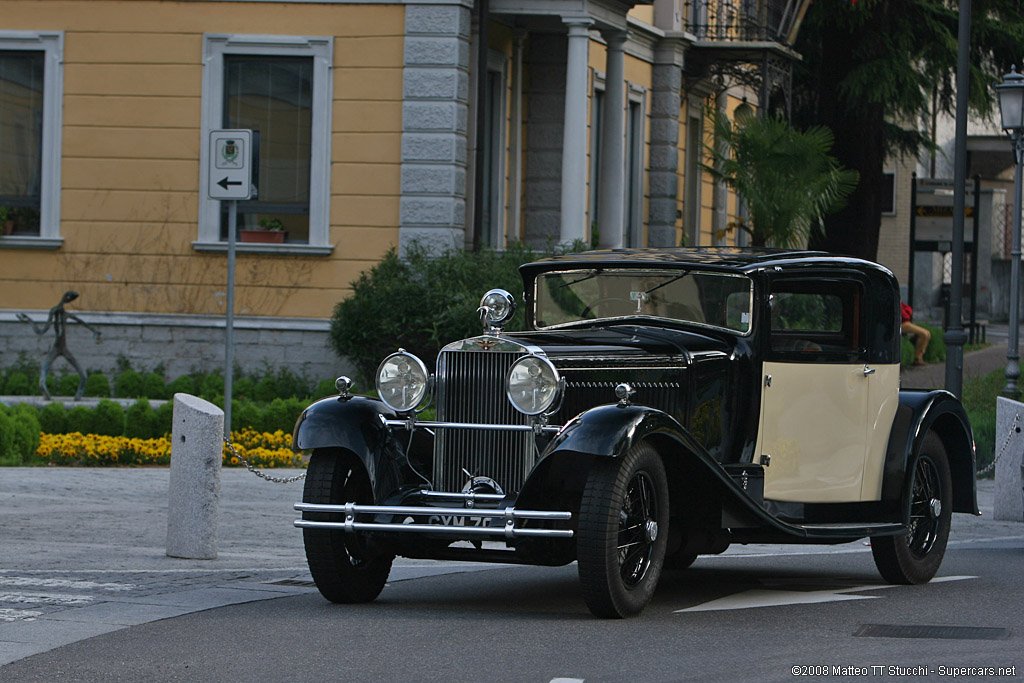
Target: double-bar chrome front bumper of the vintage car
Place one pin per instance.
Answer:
(508, 531)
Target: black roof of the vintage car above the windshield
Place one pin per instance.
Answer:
(735, 260)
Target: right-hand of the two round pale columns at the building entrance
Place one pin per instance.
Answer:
(612, 207)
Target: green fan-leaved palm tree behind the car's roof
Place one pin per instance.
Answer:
(788, 178)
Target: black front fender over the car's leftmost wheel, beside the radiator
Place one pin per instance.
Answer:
(357, 424)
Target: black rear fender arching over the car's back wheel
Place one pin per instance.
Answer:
(919, 413)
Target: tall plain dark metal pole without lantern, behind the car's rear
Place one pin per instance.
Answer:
(955, 336)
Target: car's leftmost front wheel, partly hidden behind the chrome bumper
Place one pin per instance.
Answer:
(345, 568)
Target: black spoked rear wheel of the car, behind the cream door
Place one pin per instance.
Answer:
(916, 558)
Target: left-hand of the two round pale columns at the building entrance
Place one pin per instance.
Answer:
(574, 204)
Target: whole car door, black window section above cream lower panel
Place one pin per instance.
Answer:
(816, 395)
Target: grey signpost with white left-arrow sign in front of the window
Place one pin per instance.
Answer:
(234, 157)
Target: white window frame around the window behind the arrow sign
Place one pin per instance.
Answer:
(216, 47)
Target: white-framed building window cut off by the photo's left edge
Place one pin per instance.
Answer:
(31, 87)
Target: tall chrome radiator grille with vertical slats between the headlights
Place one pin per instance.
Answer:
(472, 389)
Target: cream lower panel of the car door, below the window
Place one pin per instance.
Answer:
(814, 421)
